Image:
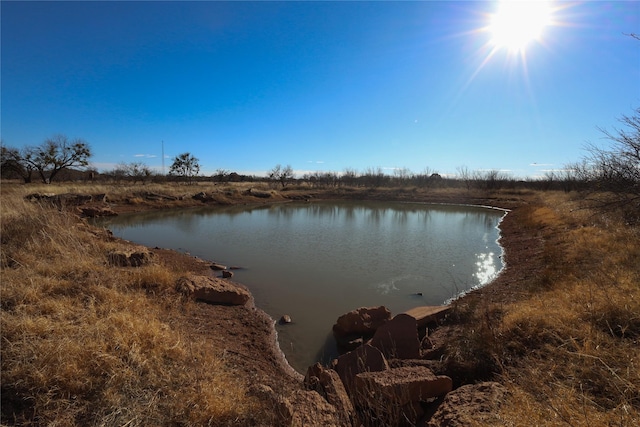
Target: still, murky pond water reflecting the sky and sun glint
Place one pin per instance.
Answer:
(316, 261)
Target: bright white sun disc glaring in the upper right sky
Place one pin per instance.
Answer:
(518, 22)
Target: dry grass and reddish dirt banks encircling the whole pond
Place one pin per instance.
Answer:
(504, 333)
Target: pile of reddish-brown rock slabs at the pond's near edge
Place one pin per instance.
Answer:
(381, 379)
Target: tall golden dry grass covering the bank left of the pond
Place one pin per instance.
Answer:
(83, 343)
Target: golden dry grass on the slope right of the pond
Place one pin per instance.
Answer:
(570, 352)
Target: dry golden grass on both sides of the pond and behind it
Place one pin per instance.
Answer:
(84, 343)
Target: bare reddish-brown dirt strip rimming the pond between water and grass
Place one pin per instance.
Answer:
(247, 334)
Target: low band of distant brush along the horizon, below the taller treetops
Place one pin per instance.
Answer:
(608, 185)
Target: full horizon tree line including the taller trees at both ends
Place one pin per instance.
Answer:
(613, 170)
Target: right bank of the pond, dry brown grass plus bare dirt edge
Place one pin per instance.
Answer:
(563, 333)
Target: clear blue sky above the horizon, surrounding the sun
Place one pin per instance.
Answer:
(321, 86)
